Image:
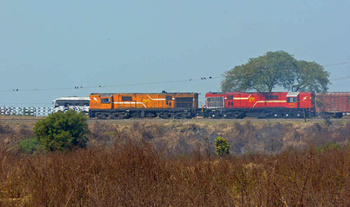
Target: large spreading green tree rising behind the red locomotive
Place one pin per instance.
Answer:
(276, 69)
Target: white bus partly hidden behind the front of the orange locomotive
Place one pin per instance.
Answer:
(78, 104)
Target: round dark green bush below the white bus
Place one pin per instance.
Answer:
(62, 131)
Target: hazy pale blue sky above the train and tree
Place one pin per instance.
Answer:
(50, 49)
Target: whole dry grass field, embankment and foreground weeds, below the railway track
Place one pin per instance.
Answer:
(173, 163)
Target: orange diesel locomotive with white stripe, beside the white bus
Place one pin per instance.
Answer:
(138, 105)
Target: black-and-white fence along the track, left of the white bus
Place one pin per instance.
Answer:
(25, 111)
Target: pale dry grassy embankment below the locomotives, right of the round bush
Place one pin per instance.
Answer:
(247, 137)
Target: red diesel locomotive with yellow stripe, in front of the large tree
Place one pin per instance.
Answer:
(269, 105)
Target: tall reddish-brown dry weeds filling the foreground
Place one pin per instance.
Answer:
(135, 174)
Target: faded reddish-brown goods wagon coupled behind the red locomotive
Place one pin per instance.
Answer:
(334, 104)
